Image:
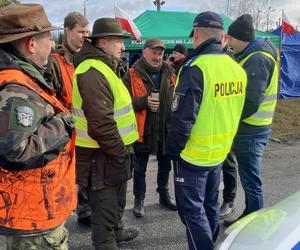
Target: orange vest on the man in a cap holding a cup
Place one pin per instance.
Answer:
(138, 89)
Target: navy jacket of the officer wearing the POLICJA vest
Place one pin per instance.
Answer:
(179, 132)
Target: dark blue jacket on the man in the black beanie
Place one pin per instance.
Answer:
(259, 69)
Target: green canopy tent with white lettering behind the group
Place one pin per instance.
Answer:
(173, 28)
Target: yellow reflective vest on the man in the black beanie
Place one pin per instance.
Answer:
(264, 115)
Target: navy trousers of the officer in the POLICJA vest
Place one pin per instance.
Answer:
(197, 201)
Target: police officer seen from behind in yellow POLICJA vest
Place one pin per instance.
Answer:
(207, 106)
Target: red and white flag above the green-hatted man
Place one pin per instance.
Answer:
(127, 24)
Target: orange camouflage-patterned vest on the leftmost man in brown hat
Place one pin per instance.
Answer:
(41, 198)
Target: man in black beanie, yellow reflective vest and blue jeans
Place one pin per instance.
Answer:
(258, 58)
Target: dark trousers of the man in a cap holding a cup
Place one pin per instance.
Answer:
(139, 173)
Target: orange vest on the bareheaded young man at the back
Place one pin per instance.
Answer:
(67, 72)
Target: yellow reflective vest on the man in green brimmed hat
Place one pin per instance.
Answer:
(123, 111)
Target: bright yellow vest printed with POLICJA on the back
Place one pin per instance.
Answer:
(220, 110)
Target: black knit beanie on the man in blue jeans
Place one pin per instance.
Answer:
(242, 28)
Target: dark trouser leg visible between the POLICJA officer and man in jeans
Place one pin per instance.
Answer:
(229, 170)
